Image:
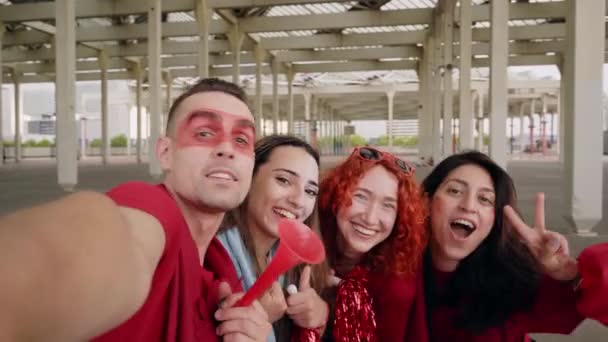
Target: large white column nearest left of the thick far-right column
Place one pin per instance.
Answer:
(499, 54)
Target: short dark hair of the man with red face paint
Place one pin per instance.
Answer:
(203, 86)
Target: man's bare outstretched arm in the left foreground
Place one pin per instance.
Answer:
(74, 268)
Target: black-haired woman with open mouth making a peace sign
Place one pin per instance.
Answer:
(490, 277)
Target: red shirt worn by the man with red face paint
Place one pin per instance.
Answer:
(183, 295)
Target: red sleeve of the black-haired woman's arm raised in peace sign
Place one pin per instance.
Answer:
(559, 308)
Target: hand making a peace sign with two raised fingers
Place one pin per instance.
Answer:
(549, 248)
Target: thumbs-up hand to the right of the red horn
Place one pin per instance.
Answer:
(306, 308)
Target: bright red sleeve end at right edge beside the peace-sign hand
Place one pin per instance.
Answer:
(593, 292)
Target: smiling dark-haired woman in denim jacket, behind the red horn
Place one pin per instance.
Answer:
(284, 185)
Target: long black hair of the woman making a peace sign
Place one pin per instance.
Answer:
(498, 278)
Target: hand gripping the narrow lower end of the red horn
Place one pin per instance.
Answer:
(241, 324)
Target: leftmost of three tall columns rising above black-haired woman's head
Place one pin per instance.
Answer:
(448, 90)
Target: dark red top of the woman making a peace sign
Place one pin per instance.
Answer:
(558, 308)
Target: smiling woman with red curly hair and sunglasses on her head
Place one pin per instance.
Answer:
(372, 219)
